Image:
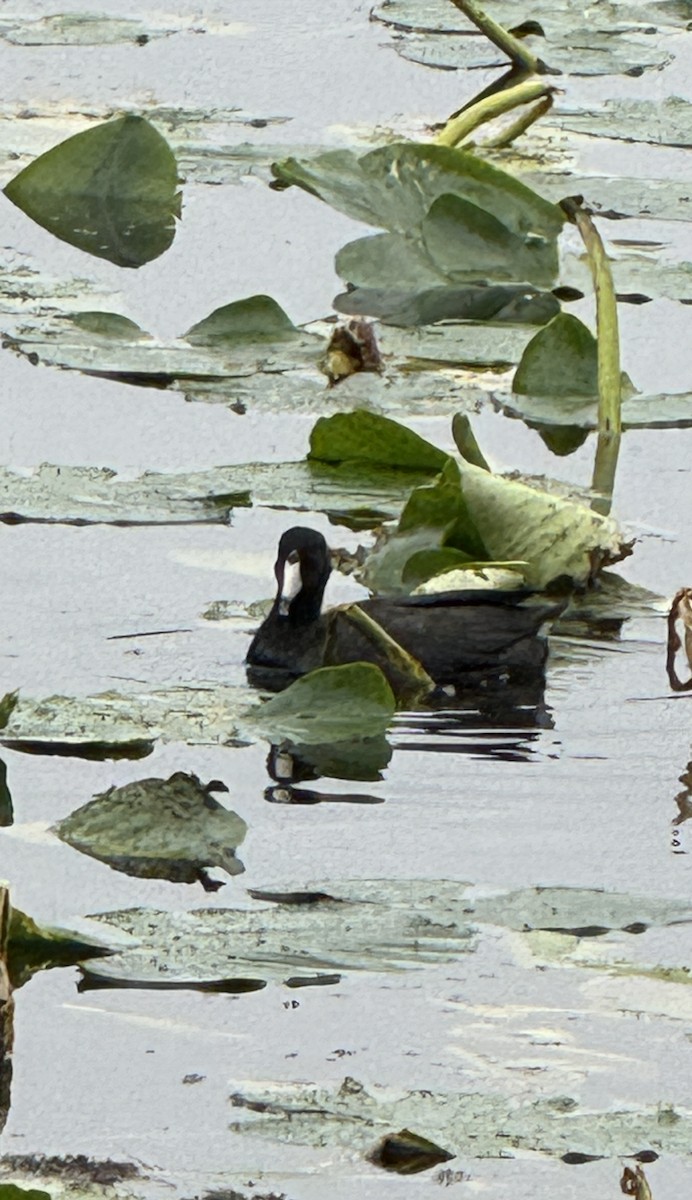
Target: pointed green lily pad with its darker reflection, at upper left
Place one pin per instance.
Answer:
(111, 191)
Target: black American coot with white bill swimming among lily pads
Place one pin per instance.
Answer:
(473, 640)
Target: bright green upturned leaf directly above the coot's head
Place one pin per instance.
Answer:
(368, 437)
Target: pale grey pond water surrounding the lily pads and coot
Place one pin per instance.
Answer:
(512, 1011)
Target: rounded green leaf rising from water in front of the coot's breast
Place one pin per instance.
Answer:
(329, 705)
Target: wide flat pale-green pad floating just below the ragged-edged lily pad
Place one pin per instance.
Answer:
(346, 928)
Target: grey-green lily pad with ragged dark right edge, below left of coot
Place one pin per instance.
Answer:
(158, 829)
